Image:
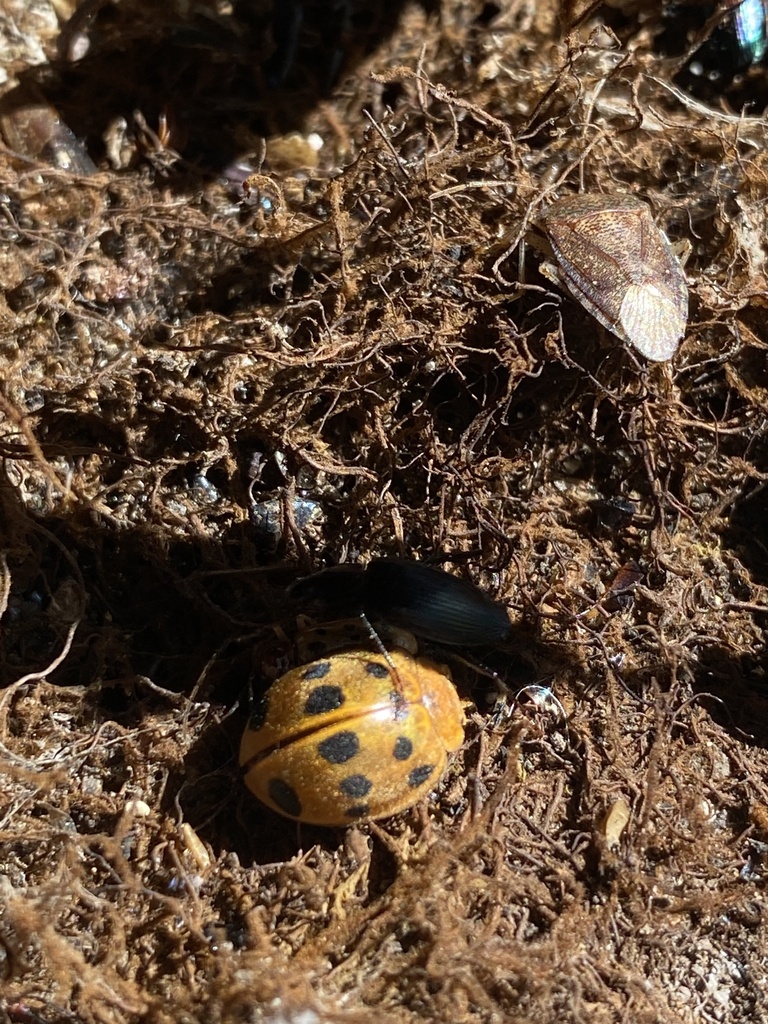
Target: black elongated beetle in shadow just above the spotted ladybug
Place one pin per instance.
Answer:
(429, 603)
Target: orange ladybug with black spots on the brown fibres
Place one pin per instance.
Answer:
(353, 737)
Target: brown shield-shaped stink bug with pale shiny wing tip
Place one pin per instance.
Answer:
(615, 261)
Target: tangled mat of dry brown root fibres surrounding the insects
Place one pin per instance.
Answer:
(206, 396)
